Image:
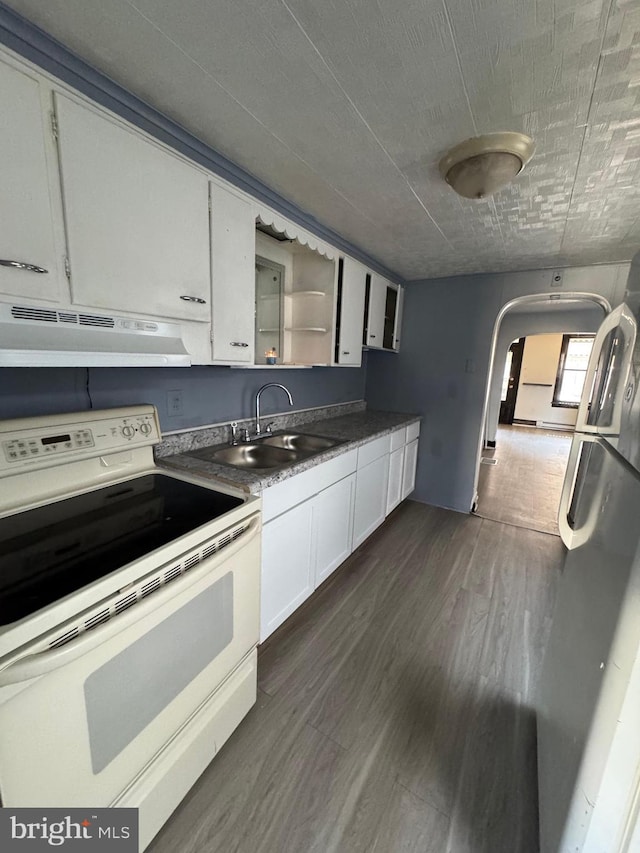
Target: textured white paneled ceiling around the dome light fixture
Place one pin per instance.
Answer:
(346, 106)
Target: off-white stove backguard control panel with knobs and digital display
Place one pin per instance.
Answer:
(42, 441)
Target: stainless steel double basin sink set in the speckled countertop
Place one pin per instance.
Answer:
(276, 450)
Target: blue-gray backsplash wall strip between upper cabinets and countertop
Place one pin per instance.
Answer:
(209, 394)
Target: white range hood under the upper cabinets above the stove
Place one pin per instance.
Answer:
(33, 336)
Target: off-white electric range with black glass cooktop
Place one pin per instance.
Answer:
(129, 615)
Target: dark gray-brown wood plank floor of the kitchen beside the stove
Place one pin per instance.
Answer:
(395, 708)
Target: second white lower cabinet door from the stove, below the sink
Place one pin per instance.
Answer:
(333, 526)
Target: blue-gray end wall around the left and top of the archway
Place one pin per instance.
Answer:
(442, 371)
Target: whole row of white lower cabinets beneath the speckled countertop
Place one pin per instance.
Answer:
(313, 521)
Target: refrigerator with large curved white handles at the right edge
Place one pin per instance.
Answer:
(589, 696)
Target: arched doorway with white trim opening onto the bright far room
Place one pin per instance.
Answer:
(539, 355)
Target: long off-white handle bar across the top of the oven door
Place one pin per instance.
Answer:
(33, 665)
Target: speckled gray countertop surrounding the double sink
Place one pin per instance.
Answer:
(353, 429)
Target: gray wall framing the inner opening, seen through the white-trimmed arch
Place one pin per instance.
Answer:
(514, 326)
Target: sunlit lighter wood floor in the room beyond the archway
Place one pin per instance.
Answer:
(524, 487)
